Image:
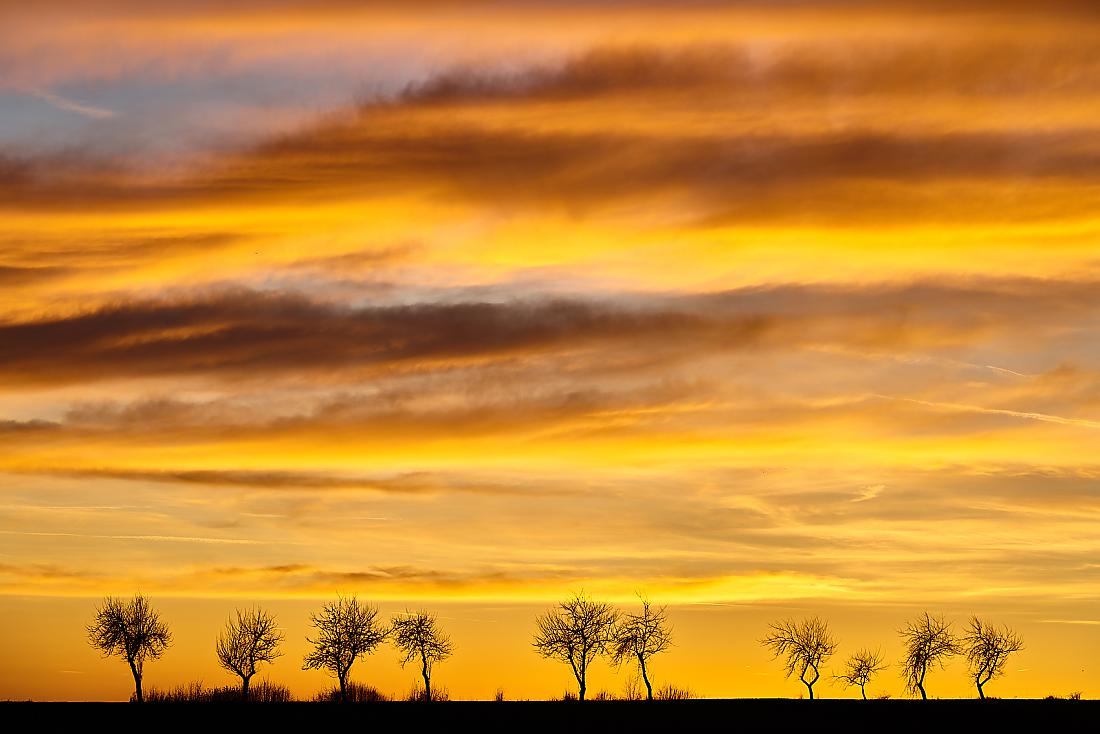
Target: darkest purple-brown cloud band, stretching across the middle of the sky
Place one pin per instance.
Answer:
(255, 334)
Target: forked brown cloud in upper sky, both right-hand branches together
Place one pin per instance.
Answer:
(387, 147)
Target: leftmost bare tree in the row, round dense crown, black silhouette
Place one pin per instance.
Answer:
(133, 631)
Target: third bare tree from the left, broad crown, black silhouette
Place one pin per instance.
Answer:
(347, 630)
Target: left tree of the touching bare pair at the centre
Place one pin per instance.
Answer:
(577, 632)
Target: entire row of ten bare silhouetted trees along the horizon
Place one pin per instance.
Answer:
(577, 632)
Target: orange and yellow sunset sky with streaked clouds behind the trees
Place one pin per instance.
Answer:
(764, 310)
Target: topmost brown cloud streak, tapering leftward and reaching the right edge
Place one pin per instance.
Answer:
(727, 73)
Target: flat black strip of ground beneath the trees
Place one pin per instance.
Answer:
(724, 716)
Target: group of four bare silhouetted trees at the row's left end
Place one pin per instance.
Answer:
(346, 631)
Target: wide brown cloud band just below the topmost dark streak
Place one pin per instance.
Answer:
(586, 171)
